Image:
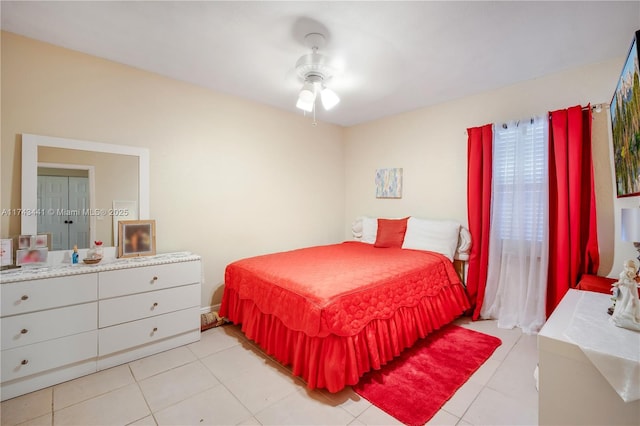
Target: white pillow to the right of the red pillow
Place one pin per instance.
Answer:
(440, 236)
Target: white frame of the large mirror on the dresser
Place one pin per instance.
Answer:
(30, 144)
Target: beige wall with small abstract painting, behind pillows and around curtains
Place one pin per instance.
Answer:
(431, 146)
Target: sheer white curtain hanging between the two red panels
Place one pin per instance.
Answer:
(518, 244)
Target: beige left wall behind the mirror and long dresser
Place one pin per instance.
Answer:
(229, 178)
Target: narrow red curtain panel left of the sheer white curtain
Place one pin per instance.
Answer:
(479, 157)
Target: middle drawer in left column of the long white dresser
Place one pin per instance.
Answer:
(27, 329)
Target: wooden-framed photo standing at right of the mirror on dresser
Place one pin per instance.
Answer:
(136, 238)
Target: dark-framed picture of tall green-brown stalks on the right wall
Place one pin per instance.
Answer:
(625, 124)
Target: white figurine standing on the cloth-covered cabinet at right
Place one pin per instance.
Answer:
(626, 313)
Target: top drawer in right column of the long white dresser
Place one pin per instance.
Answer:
(147, 278)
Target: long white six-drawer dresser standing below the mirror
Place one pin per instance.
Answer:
(58, 323)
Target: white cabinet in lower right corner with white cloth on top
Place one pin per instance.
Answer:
(577, 374)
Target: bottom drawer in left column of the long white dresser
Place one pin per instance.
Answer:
(32, 359)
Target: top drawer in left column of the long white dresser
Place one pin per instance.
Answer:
(35, 295)
